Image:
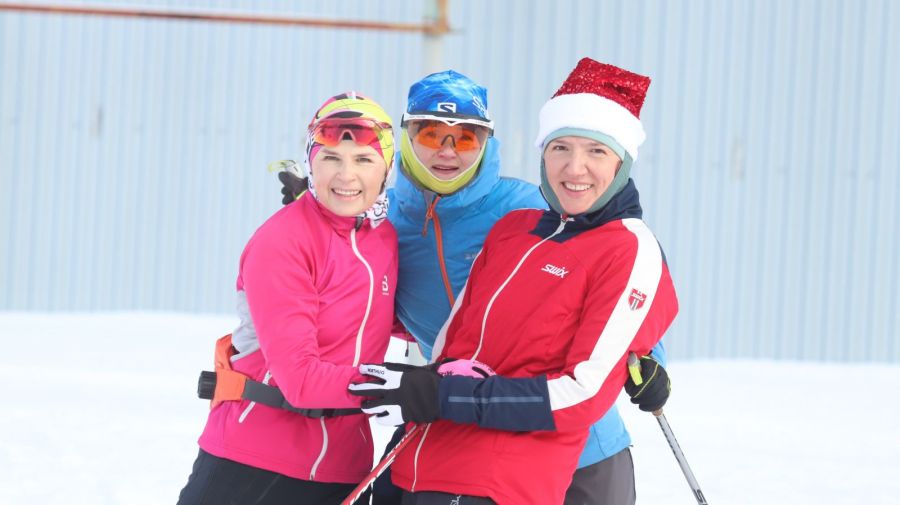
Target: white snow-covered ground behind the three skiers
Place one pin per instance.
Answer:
(101, 409)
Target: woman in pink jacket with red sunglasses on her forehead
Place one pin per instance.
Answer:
(315, 298)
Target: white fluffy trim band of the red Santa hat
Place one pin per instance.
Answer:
(591, 112)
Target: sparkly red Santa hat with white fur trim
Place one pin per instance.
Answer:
(601, 98)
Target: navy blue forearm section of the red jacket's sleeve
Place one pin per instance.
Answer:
(510, 404)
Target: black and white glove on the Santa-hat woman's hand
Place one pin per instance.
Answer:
(399, 393)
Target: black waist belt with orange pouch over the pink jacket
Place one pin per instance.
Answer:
(208, 388)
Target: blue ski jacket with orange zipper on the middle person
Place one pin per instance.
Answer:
(439, 238)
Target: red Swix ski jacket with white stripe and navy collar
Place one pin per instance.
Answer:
(553, 306)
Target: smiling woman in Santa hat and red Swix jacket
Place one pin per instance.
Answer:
(554, 303)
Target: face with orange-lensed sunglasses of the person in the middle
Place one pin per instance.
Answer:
(446, 151)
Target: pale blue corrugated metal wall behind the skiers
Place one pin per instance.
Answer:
(132, 152)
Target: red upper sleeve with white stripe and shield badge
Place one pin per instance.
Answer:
(629, 305)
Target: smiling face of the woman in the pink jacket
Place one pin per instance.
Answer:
(348, 177)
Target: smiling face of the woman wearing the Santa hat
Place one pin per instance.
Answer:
(579, 170)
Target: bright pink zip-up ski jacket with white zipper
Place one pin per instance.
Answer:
(316, 297)
